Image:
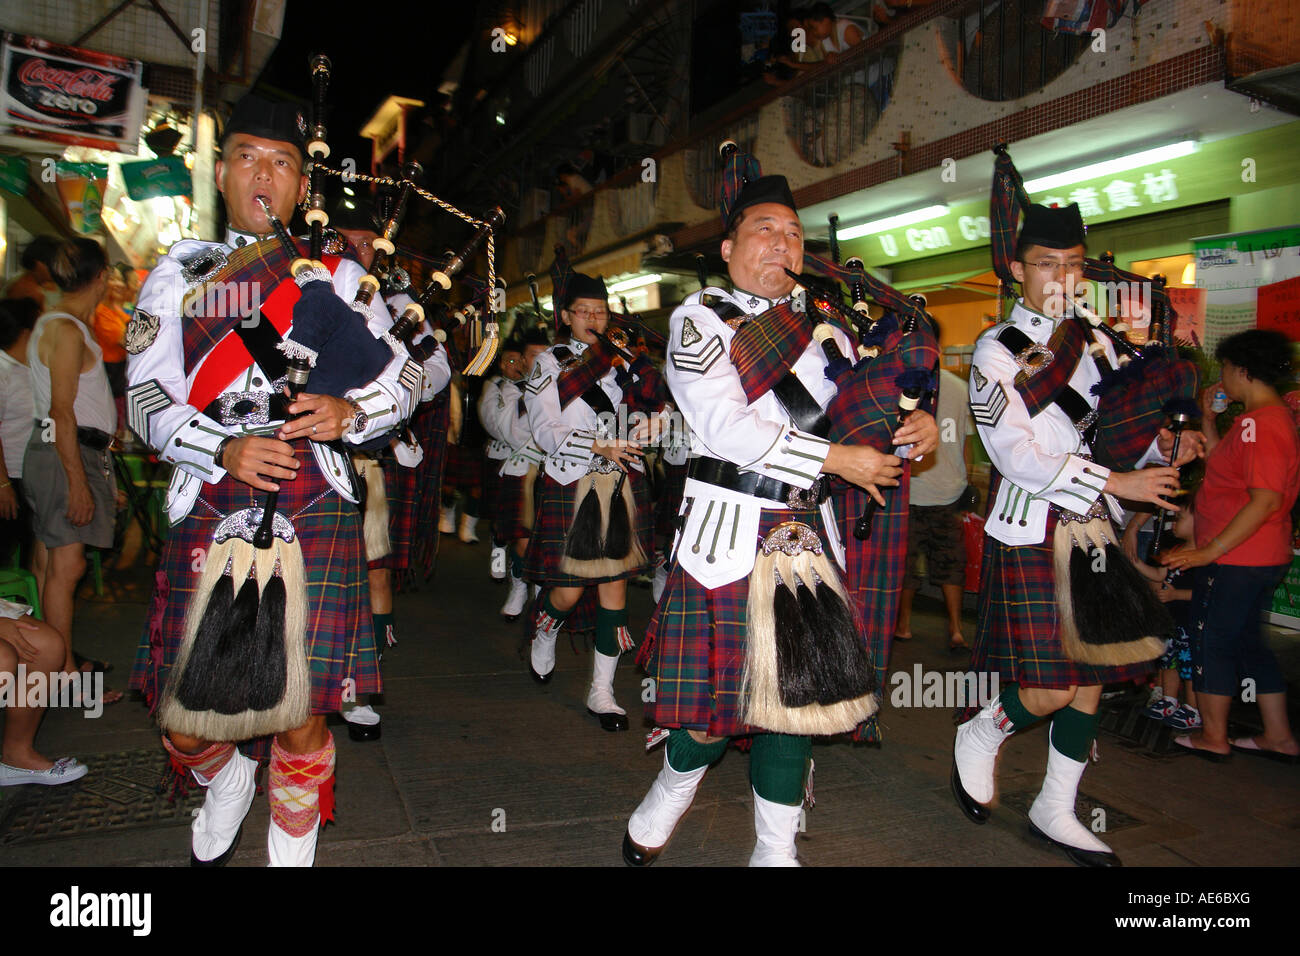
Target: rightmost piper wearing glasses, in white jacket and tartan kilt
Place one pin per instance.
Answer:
(1045, 490)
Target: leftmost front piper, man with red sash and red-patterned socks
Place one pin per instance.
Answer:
(246, 641)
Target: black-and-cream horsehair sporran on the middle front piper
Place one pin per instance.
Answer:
(807, 668)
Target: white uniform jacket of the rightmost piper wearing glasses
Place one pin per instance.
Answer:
(1039, 458)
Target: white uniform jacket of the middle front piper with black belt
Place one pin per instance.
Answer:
(759, 436)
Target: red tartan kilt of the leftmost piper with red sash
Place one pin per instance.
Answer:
(340, 635)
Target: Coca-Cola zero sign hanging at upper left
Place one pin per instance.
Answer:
(70, 96)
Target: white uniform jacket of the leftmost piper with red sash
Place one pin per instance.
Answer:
(159, 388)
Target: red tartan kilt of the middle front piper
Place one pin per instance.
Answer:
(696, 646)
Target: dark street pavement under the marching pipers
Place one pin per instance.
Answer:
(480, 767)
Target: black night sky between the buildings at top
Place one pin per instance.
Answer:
(398, 51)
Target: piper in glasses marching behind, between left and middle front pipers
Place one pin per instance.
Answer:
(592, 525)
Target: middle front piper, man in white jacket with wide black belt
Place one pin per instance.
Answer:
(755, 573)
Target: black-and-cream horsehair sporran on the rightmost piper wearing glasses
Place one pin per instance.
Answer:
(1107, 612)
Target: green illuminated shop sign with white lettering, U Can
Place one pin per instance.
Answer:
(1215, 171)
